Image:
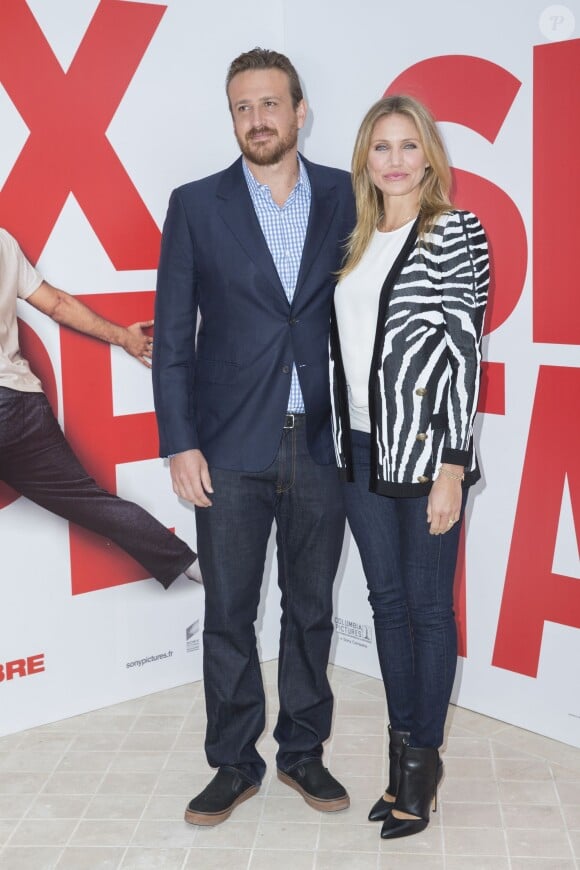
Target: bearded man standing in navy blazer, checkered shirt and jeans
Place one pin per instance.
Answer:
(243, 408)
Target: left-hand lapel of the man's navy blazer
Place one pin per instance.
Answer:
(237, 212)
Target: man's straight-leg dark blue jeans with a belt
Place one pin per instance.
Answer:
(305, 501)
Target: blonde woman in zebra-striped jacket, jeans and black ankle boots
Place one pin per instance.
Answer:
(405, 363)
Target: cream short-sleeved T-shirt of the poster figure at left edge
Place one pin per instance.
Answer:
(18, 278)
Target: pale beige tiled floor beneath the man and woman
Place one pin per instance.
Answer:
(108, 790)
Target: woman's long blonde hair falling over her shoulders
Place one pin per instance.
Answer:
(435, 186)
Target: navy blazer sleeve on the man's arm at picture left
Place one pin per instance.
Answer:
(176, 305)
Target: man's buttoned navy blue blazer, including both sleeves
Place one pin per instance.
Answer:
(226, 390)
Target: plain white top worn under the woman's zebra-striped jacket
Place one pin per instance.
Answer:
(356, 302)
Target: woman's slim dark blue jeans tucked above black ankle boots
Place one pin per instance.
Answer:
(410, 580)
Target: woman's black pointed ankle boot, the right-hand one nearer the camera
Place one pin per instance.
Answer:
(420, 771)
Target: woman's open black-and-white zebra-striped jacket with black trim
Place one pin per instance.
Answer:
(425, 368)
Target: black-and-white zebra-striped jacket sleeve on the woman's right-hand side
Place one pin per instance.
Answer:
(464, 267)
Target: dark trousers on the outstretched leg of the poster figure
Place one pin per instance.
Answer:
(37, 461)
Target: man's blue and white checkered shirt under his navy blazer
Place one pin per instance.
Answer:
(284, 229)
